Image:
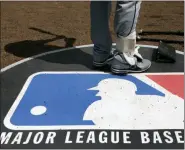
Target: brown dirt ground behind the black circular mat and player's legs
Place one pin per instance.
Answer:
(29, 28)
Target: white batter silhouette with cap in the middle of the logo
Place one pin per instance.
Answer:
(120, 108)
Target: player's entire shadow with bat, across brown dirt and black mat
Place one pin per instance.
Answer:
(30, 48)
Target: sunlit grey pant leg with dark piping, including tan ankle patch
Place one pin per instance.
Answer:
(125, 22)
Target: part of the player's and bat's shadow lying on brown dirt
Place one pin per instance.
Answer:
(29, 48)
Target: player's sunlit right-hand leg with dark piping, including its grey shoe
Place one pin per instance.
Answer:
(127, 59)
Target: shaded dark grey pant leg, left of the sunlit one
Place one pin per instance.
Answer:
(100, 34)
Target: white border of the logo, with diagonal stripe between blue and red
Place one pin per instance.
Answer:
(9, 125)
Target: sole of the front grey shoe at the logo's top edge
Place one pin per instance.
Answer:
(117, 71)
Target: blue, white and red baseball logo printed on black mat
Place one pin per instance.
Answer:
(95, 100)
